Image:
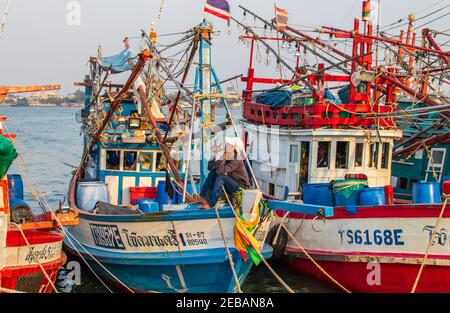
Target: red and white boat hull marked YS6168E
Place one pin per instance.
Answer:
(374, 249)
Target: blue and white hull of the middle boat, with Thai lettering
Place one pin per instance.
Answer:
(169, 252)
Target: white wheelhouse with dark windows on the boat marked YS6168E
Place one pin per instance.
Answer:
(288, 158)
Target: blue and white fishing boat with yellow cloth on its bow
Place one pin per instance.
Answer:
(137, 230)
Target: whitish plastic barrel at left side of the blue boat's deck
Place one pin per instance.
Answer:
(89, 192)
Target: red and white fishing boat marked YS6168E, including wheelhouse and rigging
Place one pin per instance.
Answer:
(325, 163)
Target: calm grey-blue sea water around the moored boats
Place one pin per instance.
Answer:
(50, 143)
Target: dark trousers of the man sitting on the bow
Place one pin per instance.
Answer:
(212, 187)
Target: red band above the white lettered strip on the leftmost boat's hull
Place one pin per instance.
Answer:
(14, 238)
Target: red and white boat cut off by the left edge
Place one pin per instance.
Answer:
(30, 244)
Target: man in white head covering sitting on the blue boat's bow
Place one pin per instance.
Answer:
(226, 169)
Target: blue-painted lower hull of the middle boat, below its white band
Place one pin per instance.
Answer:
(203, 271)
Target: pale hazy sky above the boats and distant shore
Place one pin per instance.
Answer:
(40, 47)
